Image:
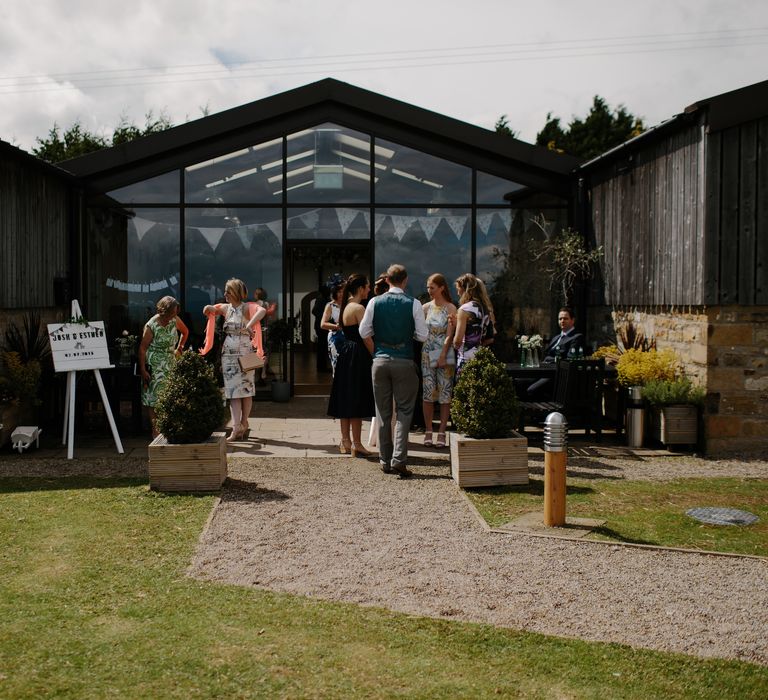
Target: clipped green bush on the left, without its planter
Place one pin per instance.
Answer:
(189, 407)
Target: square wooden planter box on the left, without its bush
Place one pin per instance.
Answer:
(198, 466)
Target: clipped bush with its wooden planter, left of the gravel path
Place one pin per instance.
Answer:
(189, 455)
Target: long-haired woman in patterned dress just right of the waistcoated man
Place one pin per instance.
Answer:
(437, 358)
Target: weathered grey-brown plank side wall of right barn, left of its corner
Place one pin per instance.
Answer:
(647, 214)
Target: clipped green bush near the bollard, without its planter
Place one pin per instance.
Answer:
(484, 403)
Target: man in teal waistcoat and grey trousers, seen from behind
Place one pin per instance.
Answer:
(394, 320)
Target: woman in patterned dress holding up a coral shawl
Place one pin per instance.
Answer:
(239, 386)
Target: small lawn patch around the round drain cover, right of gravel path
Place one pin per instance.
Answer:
(645, 512)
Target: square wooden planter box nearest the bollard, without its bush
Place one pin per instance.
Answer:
(490, 462)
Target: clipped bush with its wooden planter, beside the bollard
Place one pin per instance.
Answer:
(486, 451)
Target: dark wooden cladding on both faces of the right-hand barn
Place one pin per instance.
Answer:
(685, 221)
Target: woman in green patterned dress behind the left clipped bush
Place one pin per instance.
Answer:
(163, 340)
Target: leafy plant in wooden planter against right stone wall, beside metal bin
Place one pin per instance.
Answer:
(674, 410)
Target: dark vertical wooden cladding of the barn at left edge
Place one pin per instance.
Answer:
(34, 239)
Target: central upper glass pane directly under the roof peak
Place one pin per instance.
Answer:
(328, 163)
